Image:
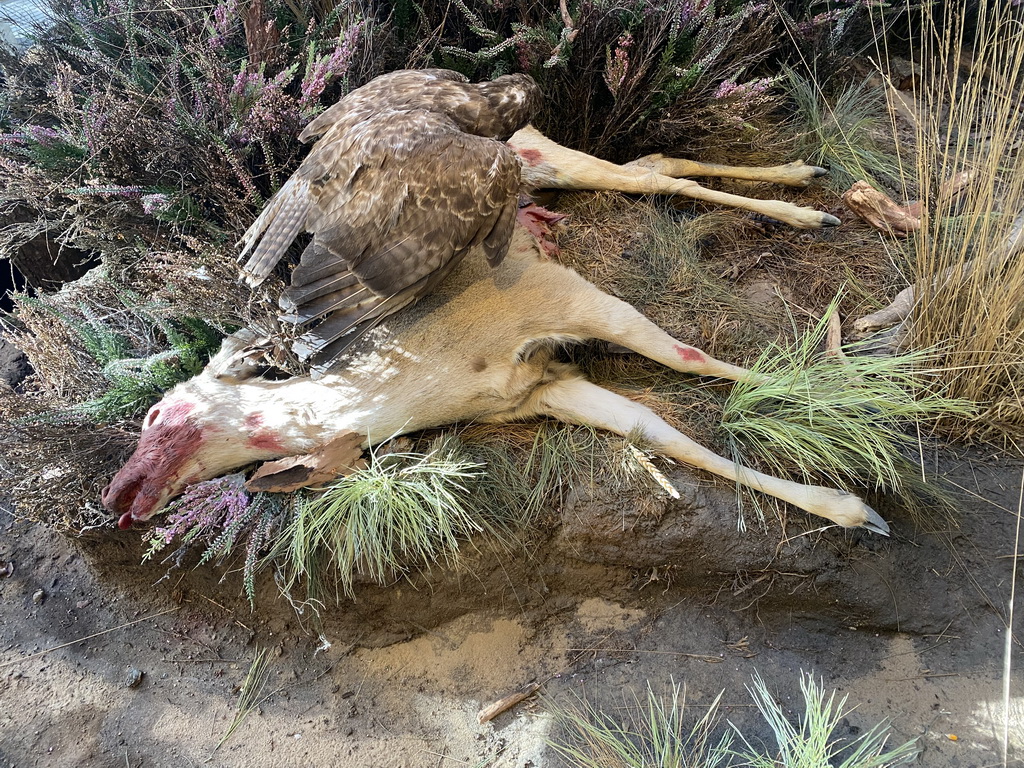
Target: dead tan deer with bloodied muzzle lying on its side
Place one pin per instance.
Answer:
(483, 348)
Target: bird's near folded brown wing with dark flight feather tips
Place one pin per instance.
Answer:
(407, 196)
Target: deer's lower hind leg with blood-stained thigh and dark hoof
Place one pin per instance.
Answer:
(547, 164)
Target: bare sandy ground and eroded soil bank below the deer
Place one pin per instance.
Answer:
(604, 604)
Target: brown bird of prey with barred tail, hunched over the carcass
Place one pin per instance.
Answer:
(410, 174)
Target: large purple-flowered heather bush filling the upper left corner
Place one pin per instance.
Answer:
(156, 121)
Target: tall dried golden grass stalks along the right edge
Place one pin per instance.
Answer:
(970, 282)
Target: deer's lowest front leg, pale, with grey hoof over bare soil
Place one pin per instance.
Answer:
(580, 402)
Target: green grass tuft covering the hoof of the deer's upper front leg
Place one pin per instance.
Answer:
(837, 422)
